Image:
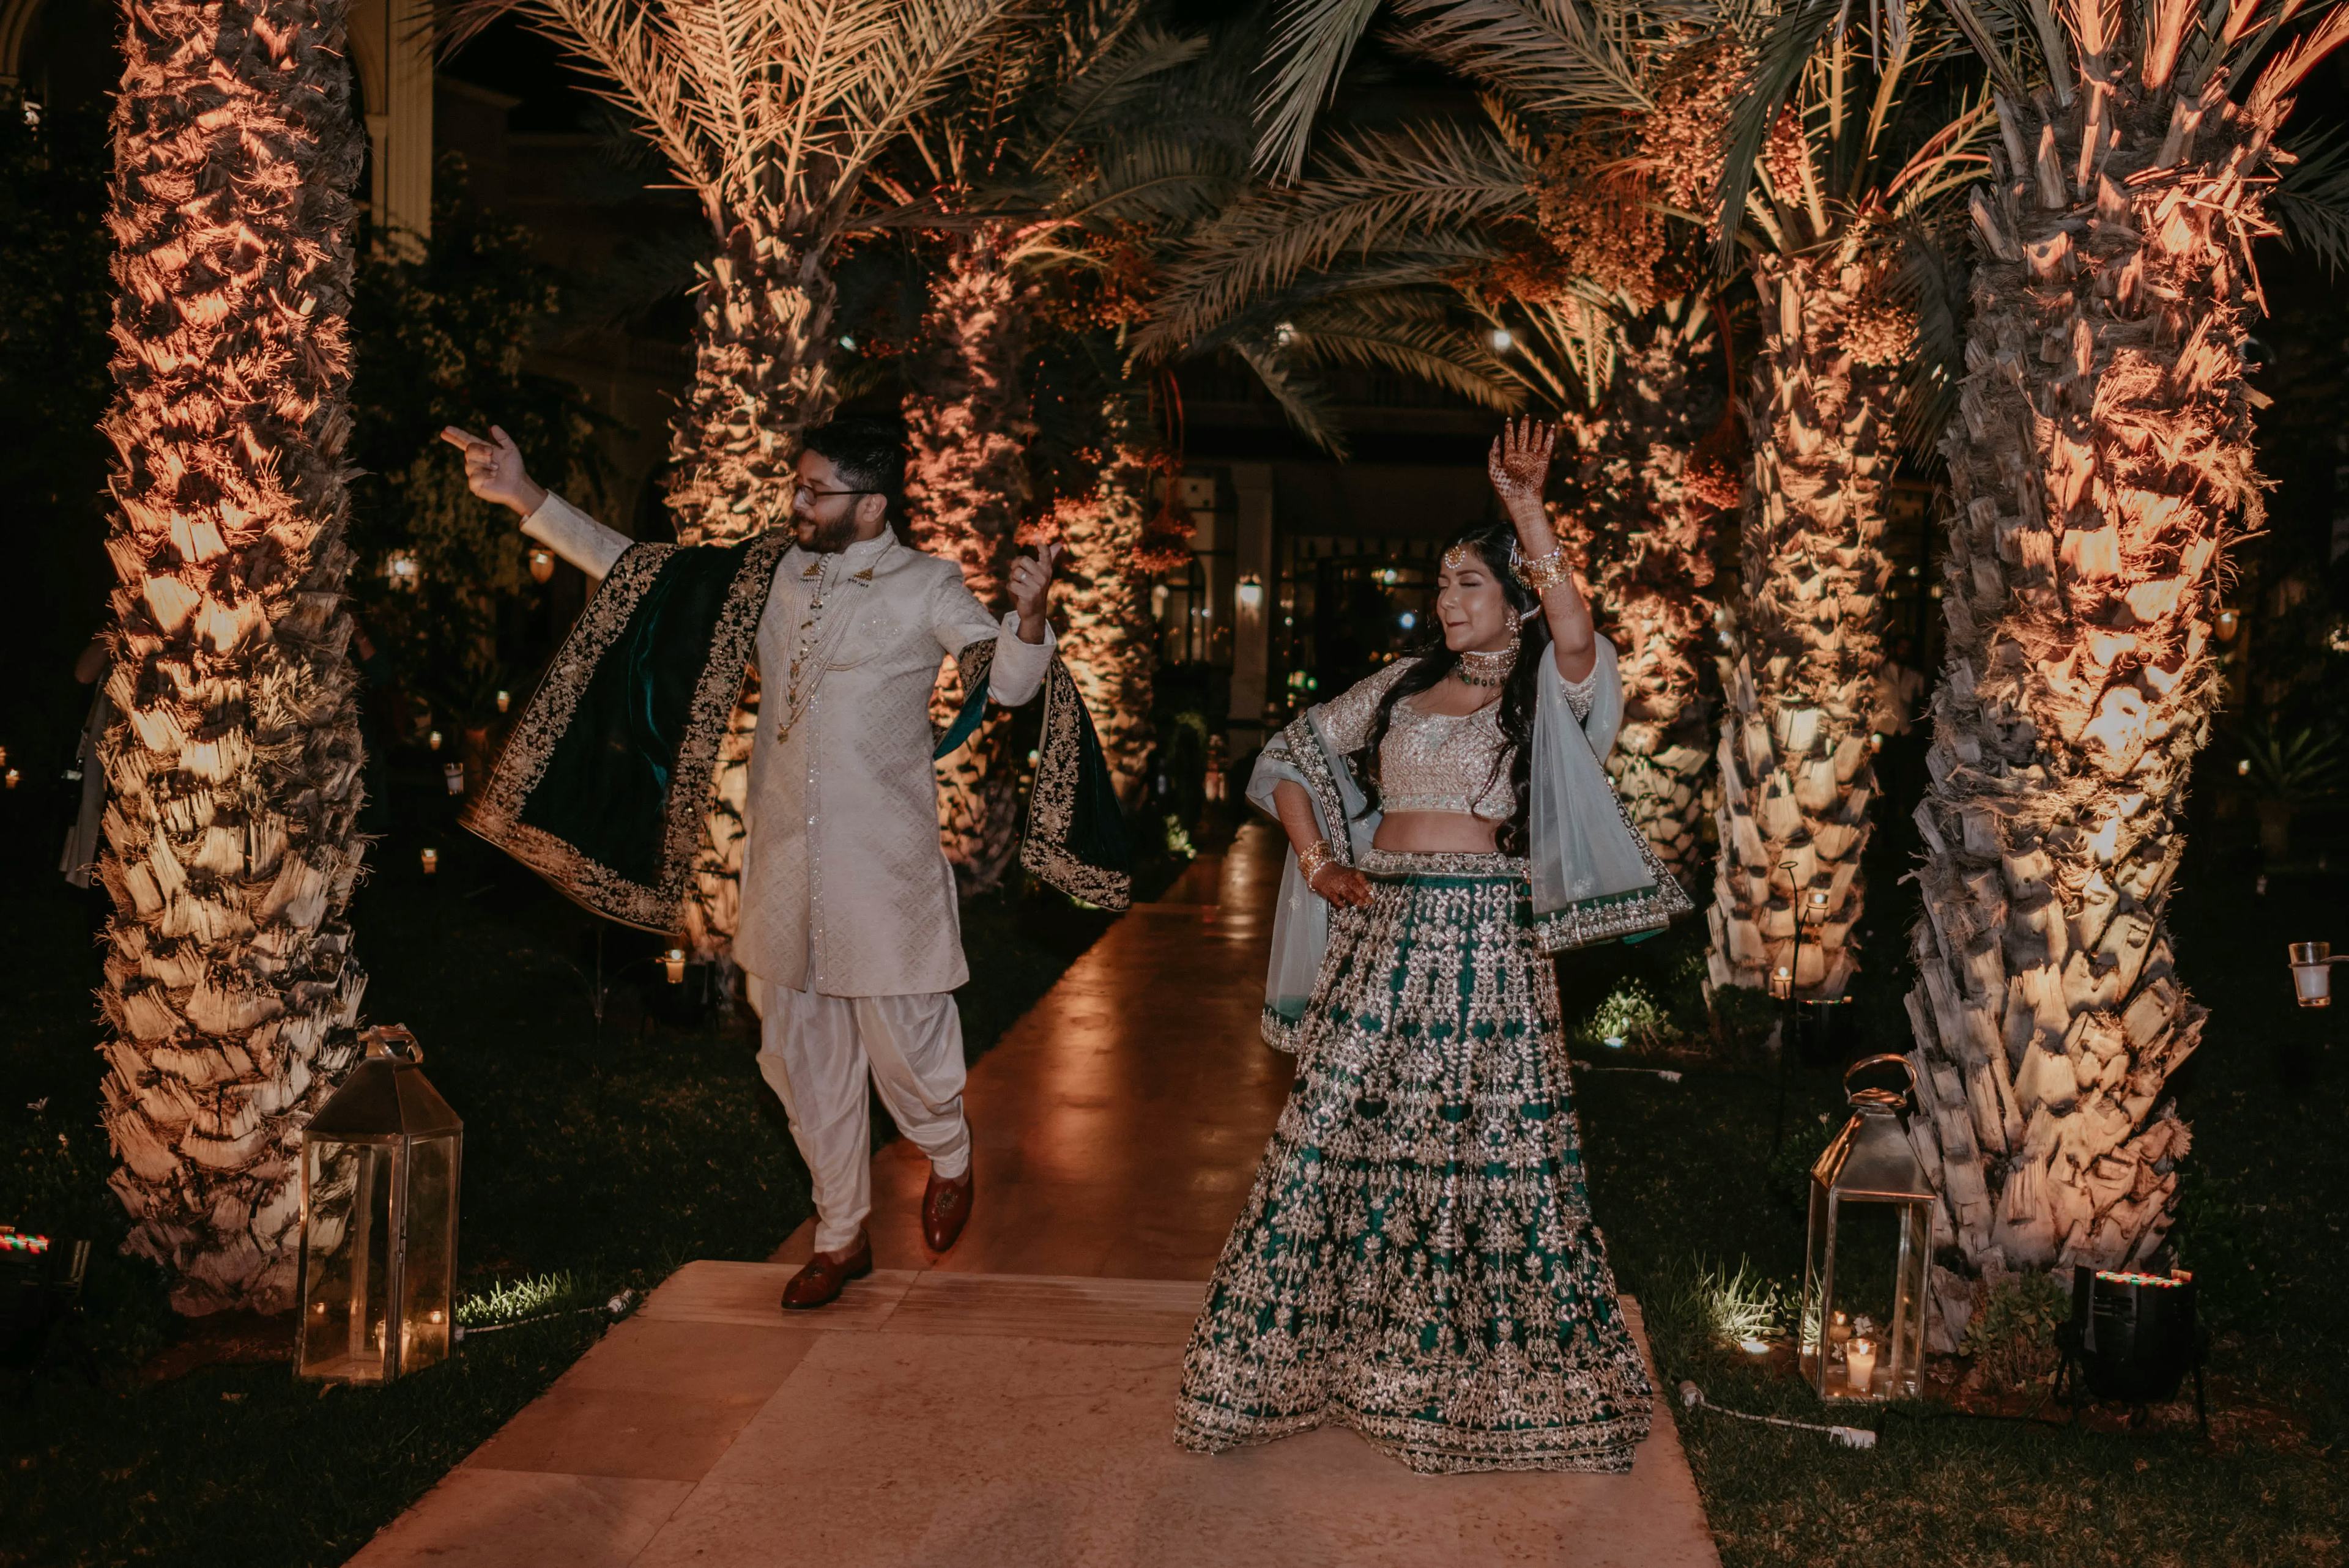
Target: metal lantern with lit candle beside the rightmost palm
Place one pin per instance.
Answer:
(1864, 1287)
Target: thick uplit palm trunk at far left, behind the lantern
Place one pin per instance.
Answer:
(236, 773)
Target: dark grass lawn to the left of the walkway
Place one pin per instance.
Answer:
(607, 1161)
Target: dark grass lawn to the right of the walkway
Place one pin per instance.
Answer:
(1685, 1177)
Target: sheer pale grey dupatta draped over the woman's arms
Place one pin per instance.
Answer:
(1594, 877)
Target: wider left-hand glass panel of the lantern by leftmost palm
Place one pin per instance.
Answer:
(346, 1259)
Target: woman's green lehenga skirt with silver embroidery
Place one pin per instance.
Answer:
(1418, 1257)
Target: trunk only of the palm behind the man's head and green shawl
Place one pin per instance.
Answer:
(760, 379)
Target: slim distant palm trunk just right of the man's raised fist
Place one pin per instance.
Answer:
(1105, 600)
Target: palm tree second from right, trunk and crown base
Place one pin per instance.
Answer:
(1840, 137)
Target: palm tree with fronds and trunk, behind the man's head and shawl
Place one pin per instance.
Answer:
(774, 114)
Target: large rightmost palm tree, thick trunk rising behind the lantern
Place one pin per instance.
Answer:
(2101, 466)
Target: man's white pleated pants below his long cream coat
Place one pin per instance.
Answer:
(819, 1050)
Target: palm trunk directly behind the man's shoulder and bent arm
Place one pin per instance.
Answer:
(967, 426)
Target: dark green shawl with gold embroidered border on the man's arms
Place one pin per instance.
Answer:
(605, 783)
